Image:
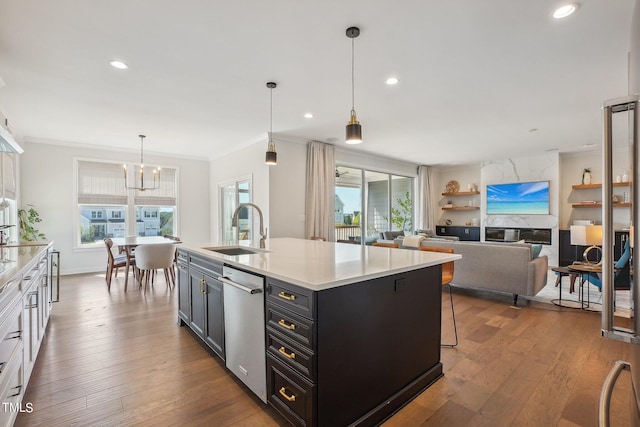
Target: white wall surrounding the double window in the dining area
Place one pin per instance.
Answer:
(47, 182)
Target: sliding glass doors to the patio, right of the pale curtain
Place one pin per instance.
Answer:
(368, 203)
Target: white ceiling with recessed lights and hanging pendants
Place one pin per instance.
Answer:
(475, 76)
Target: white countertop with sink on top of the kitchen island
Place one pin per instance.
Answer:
(318, 265)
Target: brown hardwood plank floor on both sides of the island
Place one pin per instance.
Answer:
(116, 359)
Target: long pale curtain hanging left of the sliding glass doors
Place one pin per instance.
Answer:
(320, 194)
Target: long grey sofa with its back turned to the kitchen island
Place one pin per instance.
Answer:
(515, 268)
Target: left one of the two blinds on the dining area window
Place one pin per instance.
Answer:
(101, 183)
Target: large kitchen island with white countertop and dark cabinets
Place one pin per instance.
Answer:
(351, 333)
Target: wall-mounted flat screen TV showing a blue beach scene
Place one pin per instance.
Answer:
(518, 198)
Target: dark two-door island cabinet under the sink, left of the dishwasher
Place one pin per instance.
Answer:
(201, 299)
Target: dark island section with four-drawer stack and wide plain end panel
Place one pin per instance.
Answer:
(352, 354)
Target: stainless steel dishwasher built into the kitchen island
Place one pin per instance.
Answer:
(244, 328)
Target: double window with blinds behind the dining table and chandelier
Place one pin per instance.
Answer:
(107, 209)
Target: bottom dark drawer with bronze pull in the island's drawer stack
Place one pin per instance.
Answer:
(290, 393)
